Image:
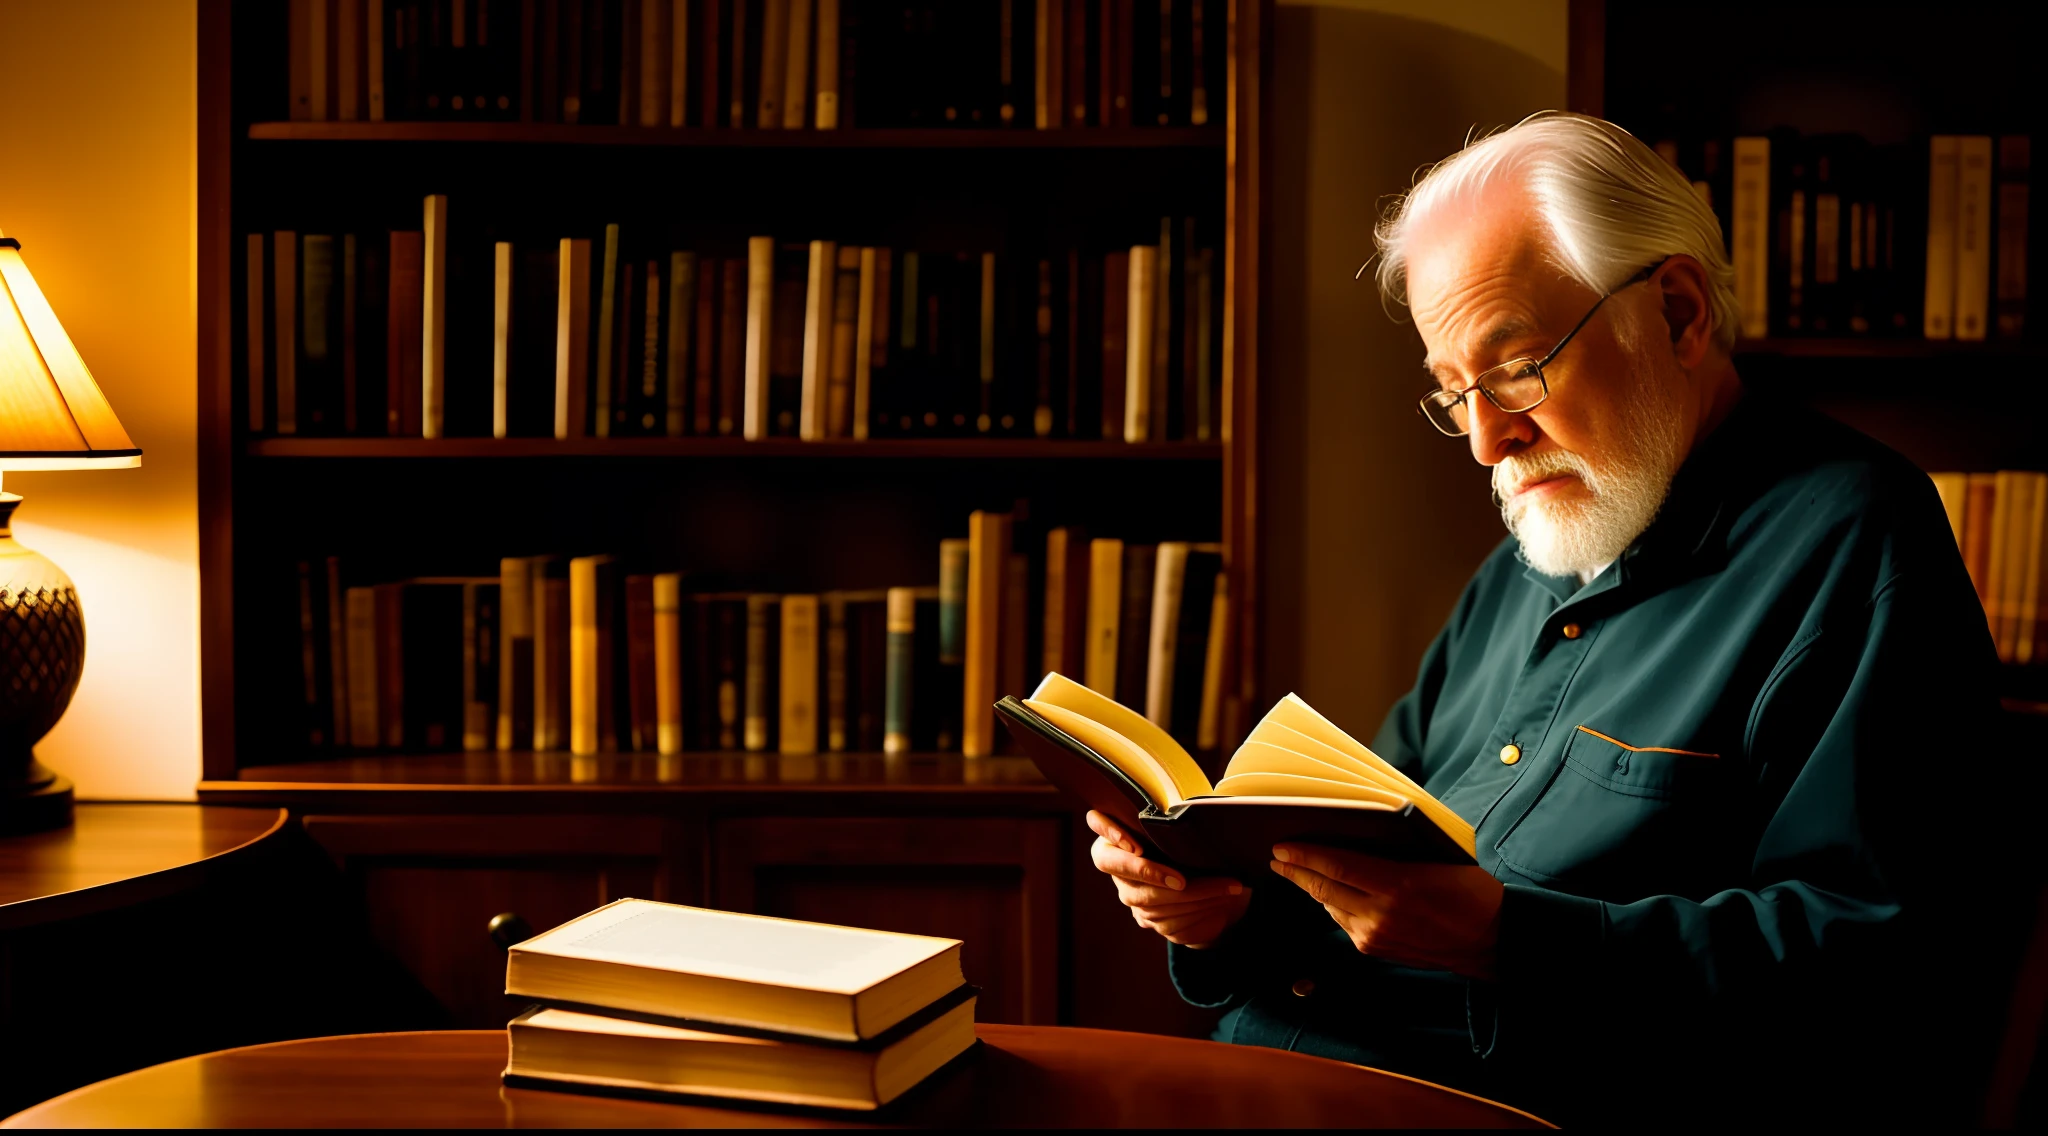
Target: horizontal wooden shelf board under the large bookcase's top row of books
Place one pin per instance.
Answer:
(937, 138)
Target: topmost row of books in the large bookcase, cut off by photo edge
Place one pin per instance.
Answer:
(763, 64)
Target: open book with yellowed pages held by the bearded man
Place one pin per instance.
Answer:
(1297, 779)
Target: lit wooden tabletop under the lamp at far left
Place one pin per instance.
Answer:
(122, 855)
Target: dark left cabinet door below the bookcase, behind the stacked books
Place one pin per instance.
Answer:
(433, 885)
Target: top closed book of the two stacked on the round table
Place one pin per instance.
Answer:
(751, 971)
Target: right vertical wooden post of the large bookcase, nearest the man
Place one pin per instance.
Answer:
(1244, 279)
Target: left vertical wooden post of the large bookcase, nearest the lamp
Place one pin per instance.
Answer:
(216, 398)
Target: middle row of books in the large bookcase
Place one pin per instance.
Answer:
(419, 335)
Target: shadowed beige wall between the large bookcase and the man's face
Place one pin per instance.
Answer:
(1373, 519)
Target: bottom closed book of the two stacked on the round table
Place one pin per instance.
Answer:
(568, 1049)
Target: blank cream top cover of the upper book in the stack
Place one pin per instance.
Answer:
(749, 949)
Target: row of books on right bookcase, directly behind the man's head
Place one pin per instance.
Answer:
(1834, 236)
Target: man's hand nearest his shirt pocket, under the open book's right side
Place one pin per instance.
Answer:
(1433, 916)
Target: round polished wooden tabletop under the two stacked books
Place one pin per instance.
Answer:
(1023, 1078)
